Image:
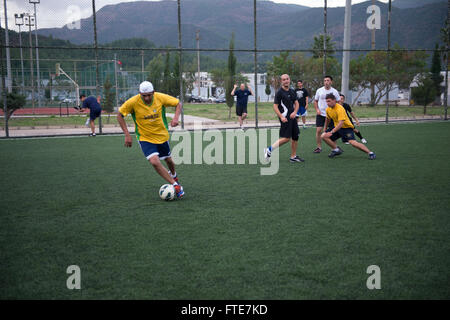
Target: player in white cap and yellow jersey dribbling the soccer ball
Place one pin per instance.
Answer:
(148, 112)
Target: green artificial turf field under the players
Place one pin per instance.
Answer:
(308, 232)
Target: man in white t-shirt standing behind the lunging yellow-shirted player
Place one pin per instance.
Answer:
(321, 105)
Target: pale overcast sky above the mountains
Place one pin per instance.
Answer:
(55, 13)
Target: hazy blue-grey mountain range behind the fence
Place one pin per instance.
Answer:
(415, 24)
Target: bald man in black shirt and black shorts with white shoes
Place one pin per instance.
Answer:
(286, 107)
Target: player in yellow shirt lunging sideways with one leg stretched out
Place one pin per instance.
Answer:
(343, 129)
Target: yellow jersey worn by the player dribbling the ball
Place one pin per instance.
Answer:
(149, 119)
